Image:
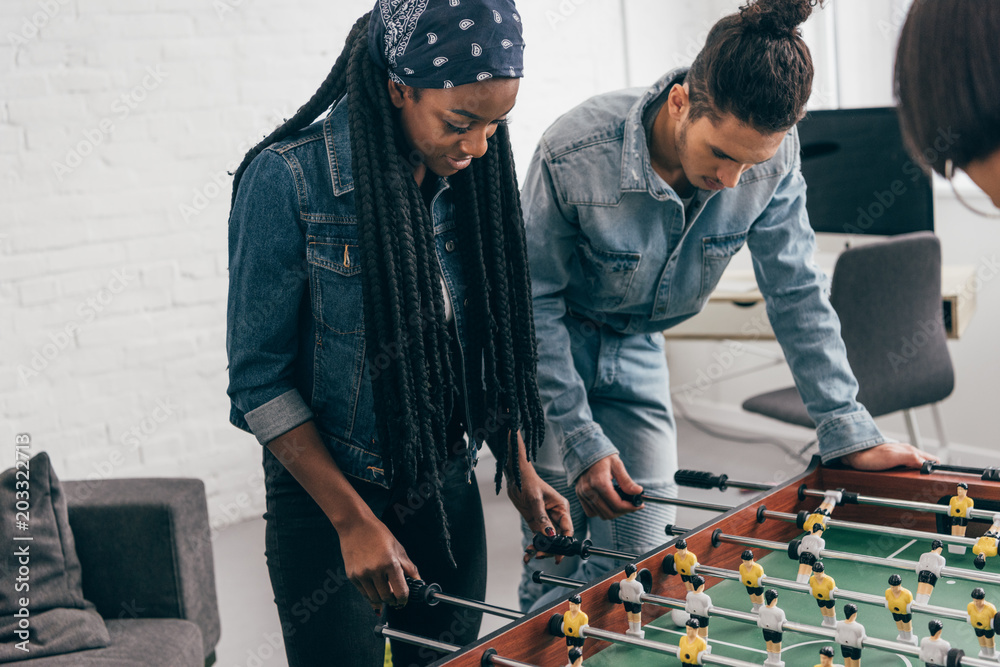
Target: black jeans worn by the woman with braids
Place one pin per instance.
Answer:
(324, 619)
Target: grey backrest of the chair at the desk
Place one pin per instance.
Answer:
(888, 297)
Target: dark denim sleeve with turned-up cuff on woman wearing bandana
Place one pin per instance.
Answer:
(267, 282)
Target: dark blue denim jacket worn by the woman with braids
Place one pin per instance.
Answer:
(295, 321)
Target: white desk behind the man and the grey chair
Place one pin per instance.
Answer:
(735, 310)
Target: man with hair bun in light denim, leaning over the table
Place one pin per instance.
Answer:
(629, 232)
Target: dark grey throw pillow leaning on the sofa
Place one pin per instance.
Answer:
(44, 569)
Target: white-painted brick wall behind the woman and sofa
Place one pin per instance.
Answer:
(114, 116)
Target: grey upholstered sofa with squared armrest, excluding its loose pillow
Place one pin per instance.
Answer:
(145, 552)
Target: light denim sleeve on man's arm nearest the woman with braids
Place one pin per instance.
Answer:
(552, 231)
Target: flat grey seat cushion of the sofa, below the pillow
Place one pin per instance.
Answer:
(141, 642)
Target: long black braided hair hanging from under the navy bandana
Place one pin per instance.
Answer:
(403, 301)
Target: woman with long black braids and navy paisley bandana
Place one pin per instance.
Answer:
(379, 312)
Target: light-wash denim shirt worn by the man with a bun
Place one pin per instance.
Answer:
(610, 241)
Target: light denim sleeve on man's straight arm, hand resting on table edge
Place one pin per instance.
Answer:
(798, 306)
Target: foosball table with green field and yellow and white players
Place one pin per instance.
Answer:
(835, 566)
